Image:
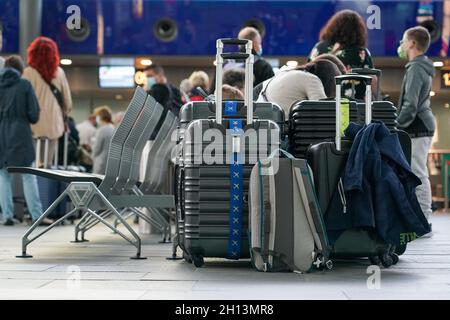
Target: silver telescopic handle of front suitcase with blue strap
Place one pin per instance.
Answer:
(248, 86)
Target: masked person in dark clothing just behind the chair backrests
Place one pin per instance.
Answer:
(155, 75)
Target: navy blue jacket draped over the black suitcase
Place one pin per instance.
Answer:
(379, 188)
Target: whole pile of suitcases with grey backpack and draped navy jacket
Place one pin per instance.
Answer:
(238, 195)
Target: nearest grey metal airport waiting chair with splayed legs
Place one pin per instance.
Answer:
(94, 195)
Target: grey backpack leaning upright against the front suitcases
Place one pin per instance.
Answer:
(287, 232)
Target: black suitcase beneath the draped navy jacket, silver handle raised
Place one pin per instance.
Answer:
(327, 161)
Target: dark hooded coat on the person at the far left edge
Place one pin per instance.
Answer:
(18, 109)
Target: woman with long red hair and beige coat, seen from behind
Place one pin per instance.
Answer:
(52, 90)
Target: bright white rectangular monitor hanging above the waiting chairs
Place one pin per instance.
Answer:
(116, 77)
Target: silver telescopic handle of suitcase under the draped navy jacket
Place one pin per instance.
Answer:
(368, 101)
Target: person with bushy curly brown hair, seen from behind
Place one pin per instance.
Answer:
(345, 35)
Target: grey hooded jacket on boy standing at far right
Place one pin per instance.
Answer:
(415, 115)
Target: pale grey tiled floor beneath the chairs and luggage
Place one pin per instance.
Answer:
(106, 272)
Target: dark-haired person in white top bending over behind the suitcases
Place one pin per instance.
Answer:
(312, 81)
